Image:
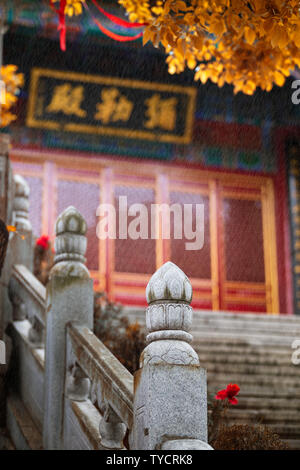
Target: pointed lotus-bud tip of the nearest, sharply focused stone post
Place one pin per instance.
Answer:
(169, 283)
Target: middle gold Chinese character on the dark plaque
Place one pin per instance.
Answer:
(113, 107)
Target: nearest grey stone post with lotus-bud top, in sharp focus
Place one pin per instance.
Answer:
(170, 402)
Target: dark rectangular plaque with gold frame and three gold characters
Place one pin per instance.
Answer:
(73, 102)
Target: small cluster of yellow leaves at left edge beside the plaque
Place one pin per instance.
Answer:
(13, 81)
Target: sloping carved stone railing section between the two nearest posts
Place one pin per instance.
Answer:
(93, 372)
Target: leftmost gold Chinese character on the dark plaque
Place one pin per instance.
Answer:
(67, 99)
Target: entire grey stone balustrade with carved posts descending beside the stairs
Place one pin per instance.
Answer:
(77, 394)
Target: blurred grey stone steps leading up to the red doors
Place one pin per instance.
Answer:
(254, 351)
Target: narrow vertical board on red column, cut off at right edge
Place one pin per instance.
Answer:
(293, 163)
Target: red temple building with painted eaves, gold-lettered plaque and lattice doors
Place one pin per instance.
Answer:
(104, 119)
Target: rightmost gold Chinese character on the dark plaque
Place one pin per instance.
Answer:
(161, 113)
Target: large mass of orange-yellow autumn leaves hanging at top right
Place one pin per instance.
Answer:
(248, 44)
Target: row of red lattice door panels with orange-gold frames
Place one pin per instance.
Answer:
(237, 267)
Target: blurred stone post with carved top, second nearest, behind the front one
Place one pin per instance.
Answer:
(69, 299)
